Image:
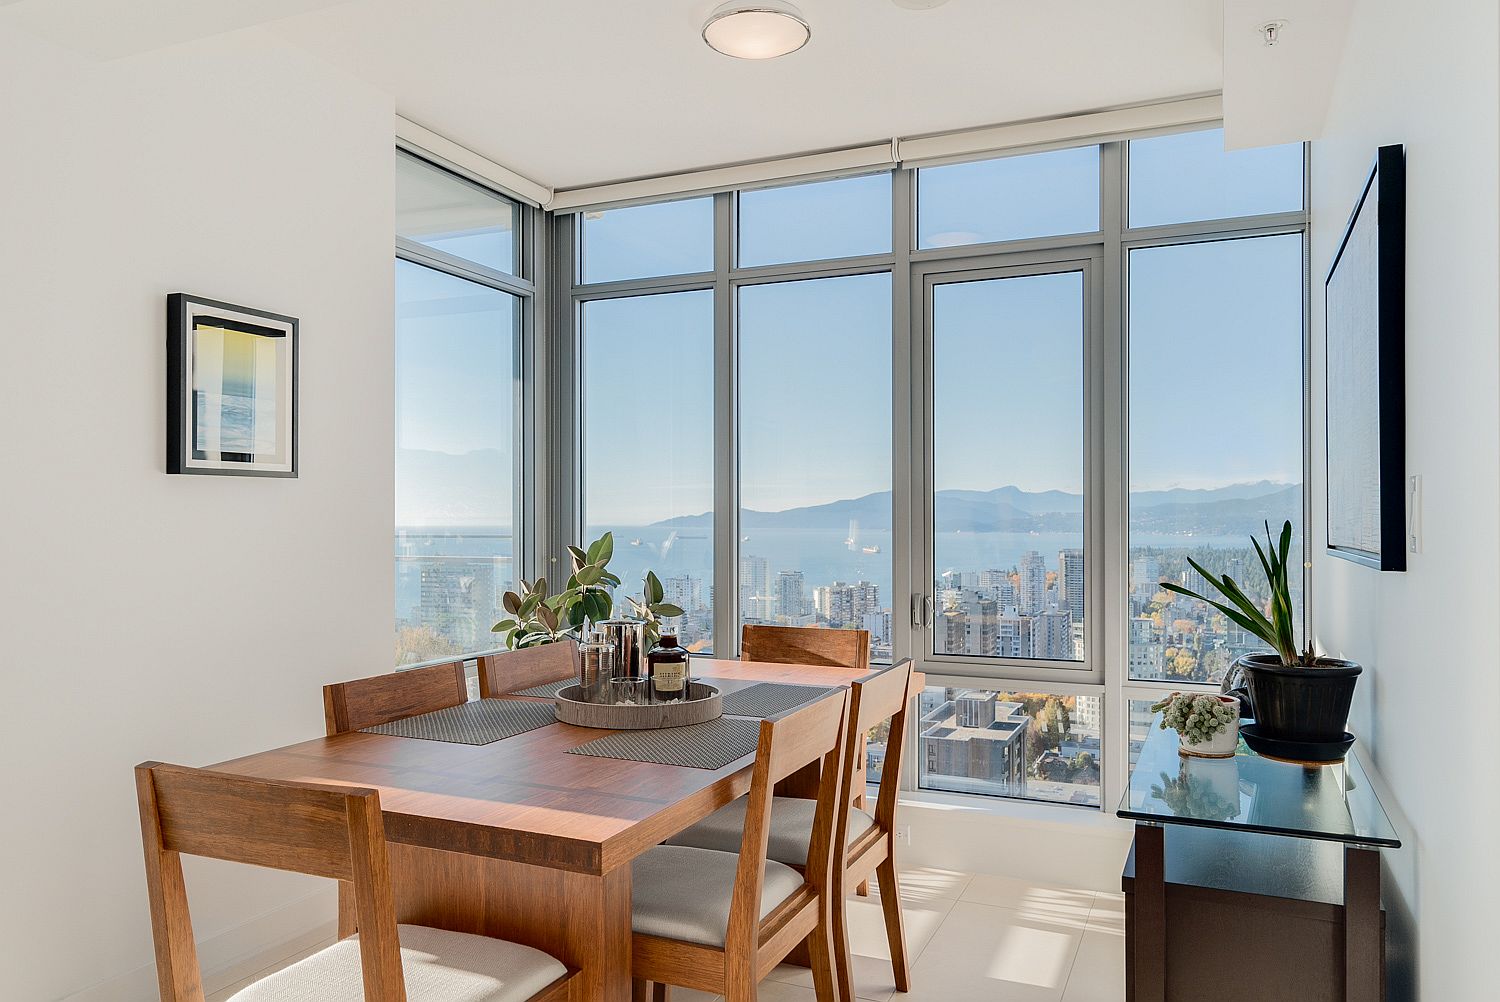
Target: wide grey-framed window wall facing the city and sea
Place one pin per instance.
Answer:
(982, 410)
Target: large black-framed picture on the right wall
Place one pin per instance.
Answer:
(1364, 388)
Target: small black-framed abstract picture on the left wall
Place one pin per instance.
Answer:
(188, 314)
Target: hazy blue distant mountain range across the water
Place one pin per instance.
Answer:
(1232, 511)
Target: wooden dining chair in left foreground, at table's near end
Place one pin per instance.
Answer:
(331, 832)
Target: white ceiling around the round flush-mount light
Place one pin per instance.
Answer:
(578, 92)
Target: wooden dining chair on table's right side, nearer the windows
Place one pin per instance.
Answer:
(866, 844)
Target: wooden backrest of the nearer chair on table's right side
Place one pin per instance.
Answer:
(790, 743)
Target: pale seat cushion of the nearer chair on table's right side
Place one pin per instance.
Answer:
(683, 893)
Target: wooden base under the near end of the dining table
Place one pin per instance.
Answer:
(580, 919)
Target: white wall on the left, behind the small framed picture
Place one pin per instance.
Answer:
(155, 617)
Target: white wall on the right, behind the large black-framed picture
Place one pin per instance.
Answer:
(1429, 77)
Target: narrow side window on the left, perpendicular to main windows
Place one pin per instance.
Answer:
(463, 305)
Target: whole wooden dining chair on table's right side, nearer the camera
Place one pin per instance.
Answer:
(721, 922)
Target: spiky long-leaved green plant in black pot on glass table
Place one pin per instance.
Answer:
(1295, 695)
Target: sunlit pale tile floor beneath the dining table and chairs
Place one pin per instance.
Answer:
(970, 937)
